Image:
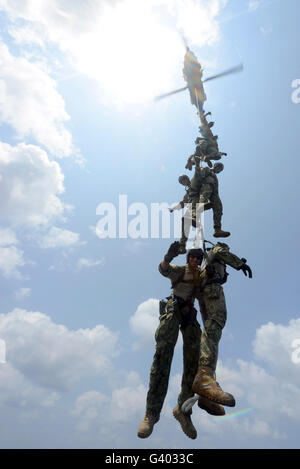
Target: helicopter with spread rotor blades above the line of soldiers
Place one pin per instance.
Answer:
(193, 75)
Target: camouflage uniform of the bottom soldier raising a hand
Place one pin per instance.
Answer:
(179, 313)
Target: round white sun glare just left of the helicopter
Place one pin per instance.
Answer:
(131, 55)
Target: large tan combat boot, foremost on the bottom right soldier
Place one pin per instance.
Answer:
(205, 385)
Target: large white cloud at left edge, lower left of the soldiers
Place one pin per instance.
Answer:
(51, 356)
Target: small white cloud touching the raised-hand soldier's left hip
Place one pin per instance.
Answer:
(144, 323)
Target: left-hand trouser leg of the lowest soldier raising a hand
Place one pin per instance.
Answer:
(166, 337)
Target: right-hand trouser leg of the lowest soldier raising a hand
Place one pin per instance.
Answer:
(191, 335)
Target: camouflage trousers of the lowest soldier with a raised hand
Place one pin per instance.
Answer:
(174, 317)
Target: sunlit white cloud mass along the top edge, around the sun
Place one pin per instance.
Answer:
(83, 29)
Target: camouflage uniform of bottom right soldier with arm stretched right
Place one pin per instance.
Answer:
(212, 301)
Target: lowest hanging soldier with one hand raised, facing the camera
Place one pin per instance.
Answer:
(177, 313)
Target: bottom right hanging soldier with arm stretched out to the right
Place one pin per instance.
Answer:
(214, 314)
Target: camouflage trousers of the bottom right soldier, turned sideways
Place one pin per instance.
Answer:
(214, 314)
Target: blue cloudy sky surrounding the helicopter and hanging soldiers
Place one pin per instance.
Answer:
(79, 128)
